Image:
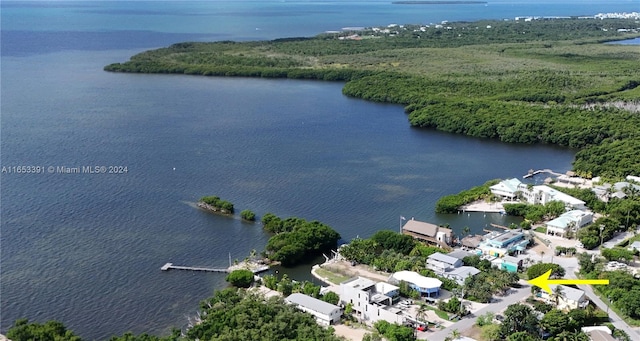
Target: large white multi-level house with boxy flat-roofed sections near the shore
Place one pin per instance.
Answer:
(371, 301)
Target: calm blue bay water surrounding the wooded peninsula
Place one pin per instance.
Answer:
(86, 248)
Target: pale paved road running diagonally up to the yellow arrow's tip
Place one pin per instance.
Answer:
(516, 295)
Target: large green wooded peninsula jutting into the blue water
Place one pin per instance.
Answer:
(551, 81)
